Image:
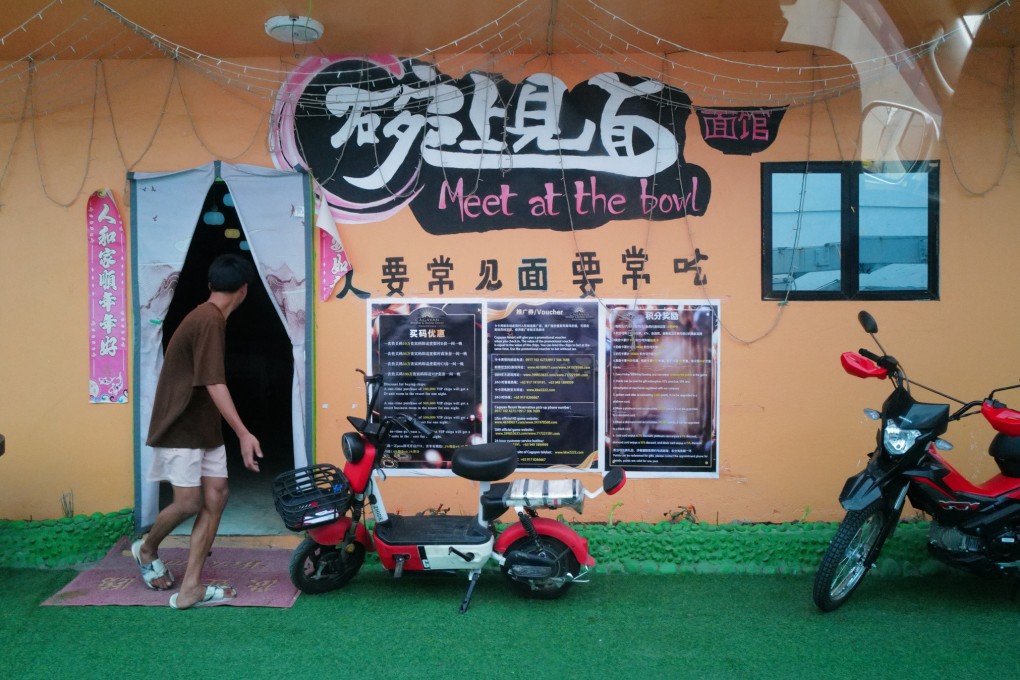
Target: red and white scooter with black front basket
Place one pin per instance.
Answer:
(540, 558)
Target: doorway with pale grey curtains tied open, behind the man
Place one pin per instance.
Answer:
(181, 222)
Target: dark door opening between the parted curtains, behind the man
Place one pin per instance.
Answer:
(260, 370)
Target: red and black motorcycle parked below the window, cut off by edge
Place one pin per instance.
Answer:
(975, 528)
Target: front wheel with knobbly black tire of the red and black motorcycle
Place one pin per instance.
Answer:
(849, 557)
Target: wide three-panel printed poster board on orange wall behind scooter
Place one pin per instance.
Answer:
(586, 385)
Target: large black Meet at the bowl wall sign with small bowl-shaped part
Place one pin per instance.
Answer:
(481, 153)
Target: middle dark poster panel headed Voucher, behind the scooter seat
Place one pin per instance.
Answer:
(544, 382)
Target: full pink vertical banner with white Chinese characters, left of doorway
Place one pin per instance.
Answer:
(108, 301)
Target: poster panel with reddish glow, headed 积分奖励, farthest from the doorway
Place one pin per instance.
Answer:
(662, 400)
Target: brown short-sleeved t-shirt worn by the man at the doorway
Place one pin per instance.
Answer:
(184, 415)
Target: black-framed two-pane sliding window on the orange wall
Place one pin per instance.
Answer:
(839, 231)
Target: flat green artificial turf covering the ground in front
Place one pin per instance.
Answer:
(618, 626)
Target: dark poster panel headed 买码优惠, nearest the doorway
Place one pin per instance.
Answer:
(430, 357)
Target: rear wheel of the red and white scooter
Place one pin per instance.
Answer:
(542, 568)
